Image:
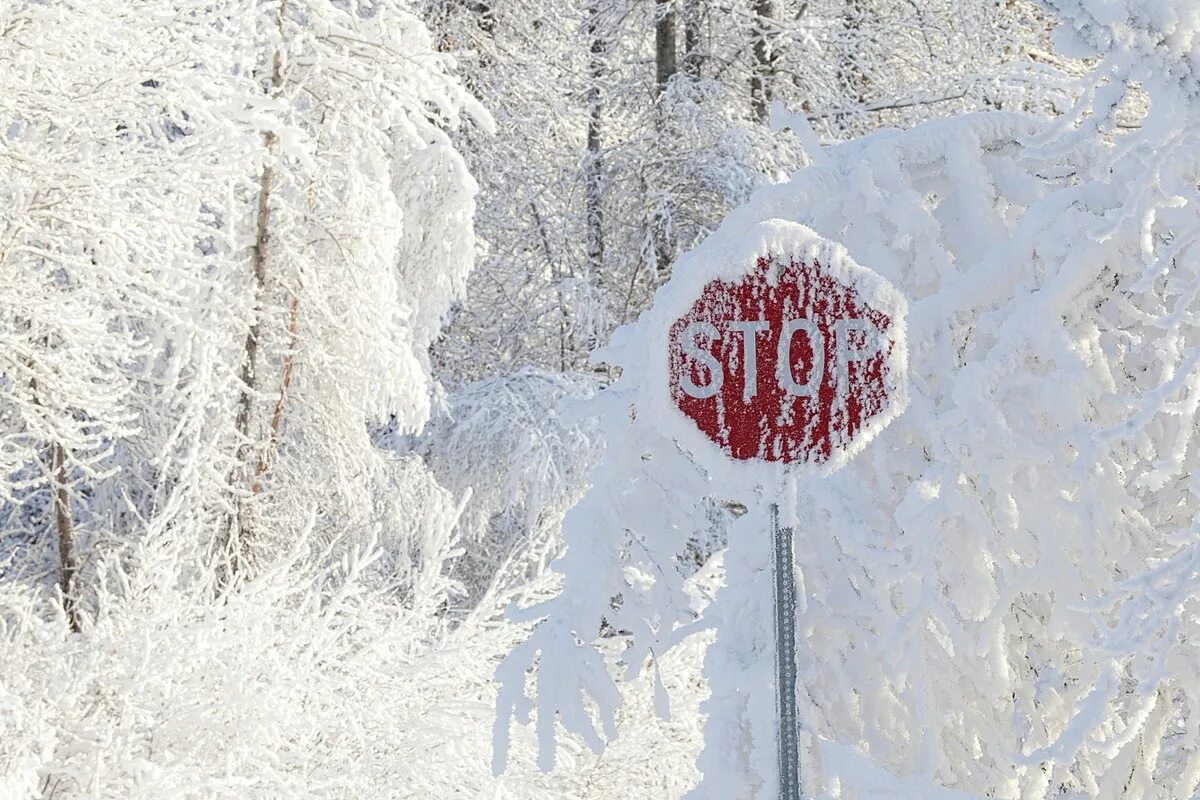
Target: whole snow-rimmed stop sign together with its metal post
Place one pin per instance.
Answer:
(794, 356)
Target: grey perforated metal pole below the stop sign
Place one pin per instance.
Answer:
(785, 660)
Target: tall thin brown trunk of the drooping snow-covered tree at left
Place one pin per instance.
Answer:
(242, 530)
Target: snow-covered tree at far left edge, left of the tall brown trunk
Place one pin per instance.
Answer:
(115, 170)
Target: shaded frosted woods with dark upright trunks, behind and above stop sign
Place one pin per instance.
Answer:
(629, 130)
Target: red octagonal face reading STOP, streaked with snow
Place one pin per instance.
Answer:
(789, 364)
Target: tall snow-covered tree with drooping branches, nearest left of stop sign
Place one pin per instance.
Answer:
(362, 237)
